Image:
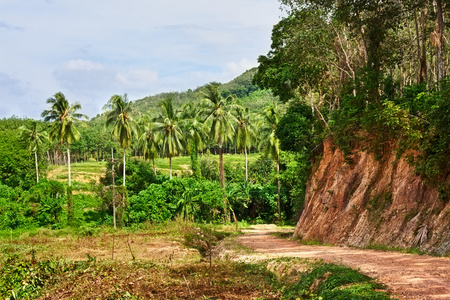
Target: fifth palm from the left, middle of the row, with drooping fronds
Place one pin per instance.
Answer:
(169, 132)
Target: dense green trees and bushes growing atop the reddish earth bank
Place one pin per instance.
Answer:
(353, 66)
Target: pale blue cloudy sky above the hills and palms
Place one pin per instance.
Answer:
(91, 50)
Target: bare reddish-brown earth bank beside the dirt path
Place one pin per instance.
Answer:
(372, 202)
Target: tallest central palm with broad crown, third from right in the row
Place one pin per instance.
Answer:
(219, 121)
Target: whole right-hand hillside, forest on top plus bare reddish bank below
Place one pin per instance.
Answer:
(375, 76)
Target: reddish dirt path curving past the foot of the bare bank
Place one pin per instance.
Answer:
(407, 276)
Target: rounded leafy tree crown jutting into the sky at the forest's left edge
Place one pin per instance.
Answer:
(300, 57)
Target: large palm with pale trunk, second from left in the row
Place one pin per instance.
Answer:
(64, 117)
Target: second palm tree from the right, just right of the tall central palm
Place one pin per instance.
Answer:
(245, 133)
